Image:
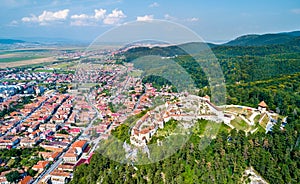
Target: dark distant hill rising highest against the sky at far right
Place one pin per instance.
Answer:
(265, 39)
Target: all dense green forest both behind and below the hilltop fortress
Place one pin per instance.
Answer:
(252, 73)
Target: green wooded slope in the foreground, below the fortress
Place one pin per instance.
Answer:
(275, 156)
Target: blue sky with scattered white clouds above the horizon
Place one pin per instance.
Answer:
(213, 20)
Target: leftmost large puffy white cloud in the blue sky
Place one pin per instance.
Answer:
(47, 16)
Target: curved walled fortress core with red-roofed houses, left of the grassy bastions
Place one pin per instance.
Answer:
(186, 109)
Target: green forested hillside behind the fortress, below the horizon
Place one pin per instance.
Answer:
(252, 73)
